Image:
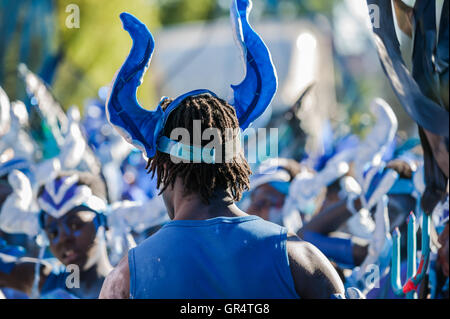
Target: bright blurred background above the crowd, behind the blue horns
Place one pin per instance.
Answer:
(327, 66)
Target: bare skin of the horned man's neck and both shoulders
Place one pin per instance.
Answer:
(313, 275)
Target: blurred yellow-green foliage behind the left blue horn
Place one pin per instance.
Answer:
(95, 51)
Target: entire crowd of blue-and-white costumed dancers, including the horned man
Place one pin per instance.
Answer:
(96, 206)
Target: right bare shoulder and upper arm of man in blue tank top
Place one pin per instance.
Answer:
(314, 276)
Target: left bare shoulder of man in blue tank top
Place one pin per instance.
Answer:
(117, 283)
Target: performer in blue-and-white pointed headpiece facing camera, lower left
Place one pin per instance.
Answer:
(71, 214)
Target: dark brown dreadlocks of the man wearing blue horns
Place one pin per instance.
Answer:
(202, 178)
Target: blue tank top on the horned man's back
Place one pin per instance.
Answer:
(219, 258)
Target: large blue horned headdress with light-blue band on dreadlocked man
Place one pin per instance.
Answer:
(143, 128)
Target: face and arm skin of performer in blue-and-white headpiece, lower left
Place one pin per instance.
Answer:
(72, 241)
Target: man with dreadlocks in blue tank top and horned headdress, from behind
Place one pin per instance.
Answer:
(210, 249)
